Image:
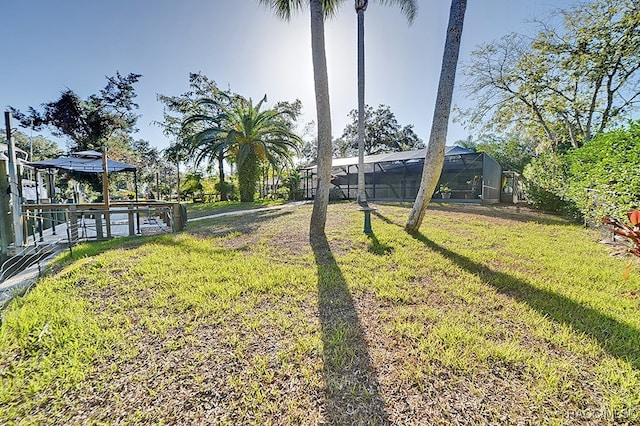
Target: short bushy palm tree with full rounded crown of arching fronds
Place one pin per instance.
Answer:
(248, 134)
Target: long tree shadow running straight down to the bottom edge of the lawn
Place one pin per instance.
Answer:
(351, 391)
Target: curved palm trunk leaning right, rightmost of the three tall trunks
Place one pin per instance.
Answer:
(434, 158)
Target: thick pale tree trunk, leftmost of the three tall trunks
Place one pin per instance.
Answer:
(323, 111)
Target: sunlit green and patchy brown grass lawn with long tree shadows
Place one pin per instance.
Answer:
(488, 316)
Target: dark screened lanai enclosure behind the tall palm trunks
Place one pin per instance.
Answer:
(467, 177)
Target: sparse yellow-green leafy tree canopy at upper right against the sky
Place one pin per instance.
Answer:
(566, 84)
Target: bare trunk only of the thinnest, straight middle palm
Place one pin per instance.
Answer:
(361, 6)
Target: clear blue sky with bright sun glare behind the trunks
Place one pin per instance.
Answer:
(49, 46)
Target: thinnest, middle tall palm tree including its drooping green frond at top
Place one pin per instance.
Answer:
(409, 8)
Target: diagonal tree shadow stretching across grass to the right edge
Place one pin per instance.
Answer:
(618, 339)
